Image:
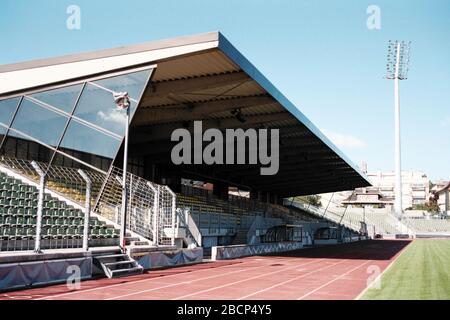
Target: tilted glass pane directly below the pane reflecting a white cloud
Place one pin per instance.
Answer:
(85, 139)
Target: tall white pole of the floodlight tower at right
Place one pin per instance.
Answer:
(398, 157)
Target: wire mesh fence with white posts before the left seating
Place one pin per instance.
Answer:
(151, 207)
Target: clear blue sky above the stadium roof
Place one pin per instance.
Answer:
(320, 54)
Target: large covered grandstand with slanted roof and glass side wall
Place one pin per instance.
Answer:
(62, 145)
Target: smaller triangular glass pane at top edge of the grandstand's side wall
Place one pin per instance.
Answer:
(62, 98)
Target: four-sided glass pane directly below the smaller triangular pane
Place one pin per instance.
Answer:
(39, 123)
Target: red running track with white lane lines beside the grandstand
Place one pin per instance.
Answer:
(333, 272)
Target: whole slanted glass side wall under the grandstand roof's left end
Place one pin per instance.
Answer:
(44, 117)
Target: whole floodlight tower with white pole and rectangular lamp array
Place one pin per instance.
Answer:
(397, 69)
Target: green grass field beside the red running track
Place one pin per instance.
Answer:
(421, 272)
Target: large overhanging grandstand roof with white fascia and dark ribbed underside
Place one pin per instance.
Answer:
(203, 77)
